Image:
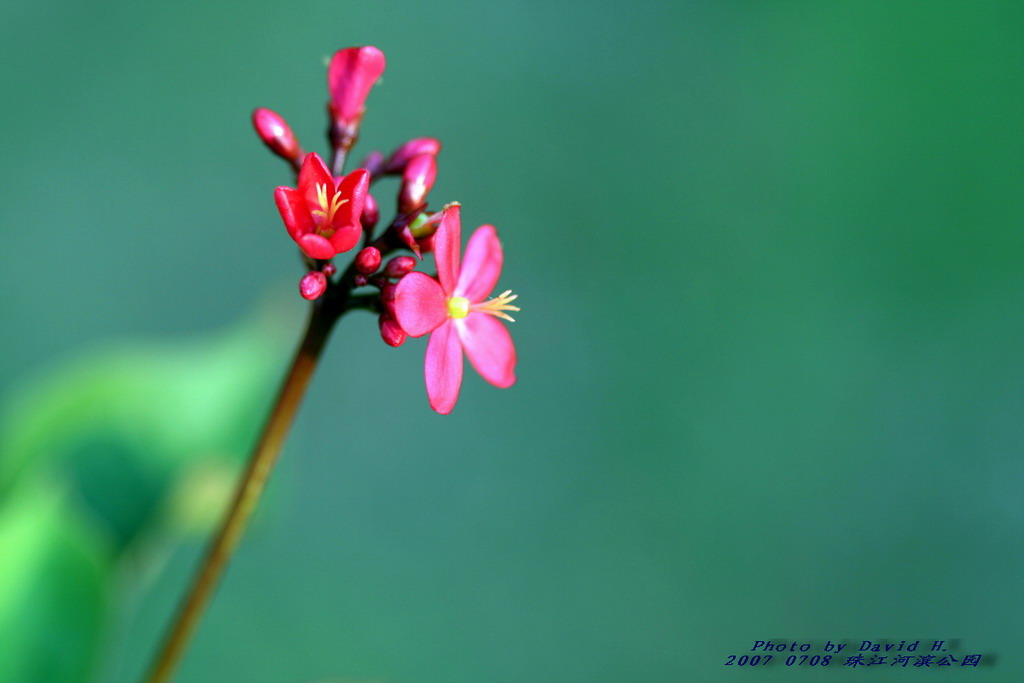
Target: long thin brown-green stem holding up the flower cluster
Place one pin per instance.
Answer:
(247, 494)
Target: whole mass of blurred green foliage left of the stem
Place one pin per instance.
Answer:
(97, 452)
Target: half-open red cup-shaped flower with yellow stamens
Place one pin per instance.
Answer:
(323, 216)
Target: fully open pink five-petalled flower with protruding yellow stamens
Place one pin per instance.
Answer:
(455, 312)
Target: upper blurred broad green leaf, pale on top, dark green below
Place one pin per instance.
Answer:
(125, 425)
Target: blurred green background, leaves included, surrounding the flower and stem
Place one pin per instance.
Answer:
(771, 356)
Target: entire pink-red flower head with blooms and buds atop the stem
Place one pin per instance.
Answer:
(329, 212)
